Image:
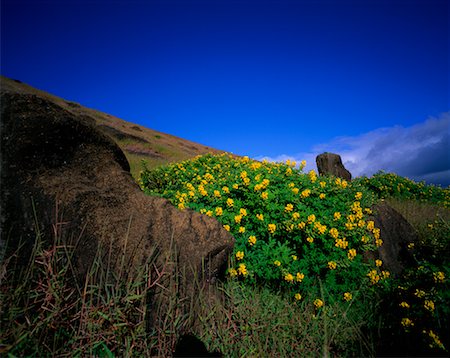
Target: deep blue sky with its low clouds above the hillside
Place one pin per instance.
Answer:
(268, 79)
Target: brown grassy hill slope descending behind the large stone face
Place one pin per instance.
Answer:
(137, 142)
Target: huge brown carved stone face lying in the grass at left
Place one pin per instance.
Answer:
(60, 173)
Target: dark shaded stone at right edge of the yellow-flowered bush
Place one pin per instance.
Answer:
(396, 233)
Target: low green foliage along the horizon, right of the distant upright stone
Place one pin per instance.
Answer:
(388, 185)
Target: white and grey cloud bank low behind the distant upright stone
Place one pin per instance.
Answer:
(419, 152)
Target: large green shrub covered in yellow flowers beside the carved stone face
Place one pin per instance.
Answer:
(293, 231)
